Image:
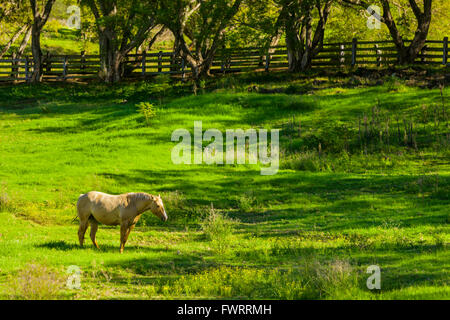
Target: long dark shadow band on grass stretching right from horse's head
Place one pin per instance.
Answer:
(326, 201)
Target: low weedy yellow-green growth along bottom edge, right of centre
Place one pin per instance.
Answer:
(311, 280)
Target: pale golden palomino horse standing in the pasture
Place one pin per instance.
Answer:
(124, 210)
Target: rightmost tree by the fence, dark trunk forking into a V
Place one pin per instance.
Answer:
(406, 53)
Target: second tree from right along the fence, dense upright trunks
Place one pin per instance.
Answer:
(303, 40)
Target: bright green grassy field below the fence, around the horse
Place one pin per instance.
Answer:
(356, 187)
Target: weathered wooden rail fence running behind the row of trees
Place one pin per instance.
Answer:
(334, 55)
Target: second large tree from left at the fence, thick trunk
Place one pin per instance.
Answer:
(122, 25)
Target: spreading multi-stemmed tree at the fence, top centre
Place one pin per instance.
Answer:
(204, 23)
